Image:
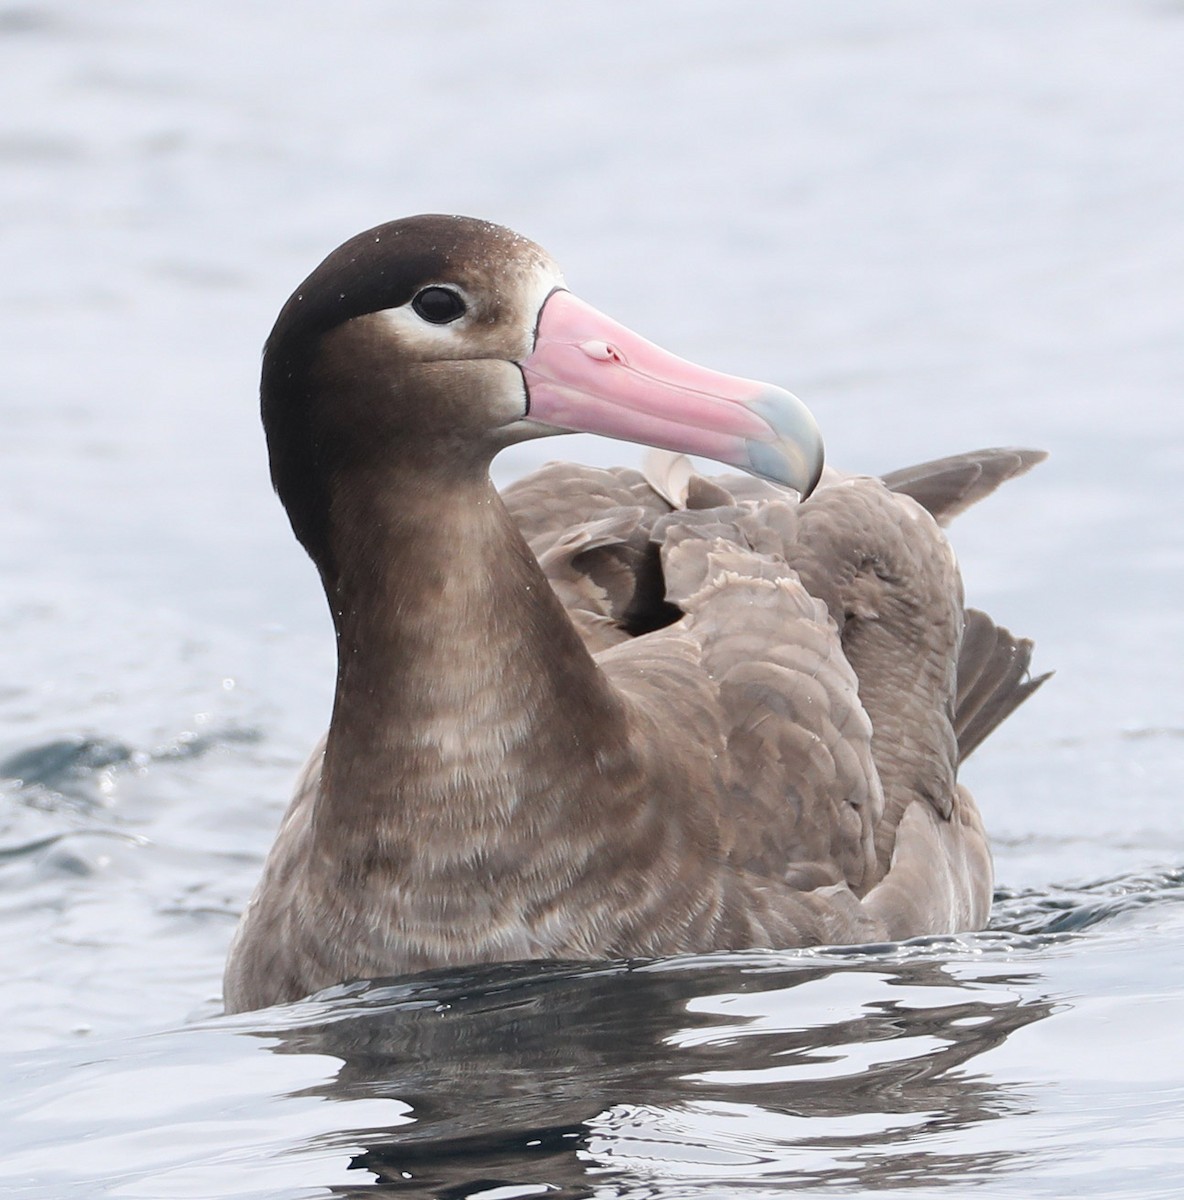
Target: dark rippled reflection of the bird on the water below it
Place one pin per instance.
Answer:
(579, 1079)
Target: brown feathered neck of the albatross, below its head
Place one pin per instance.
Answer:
(466, 704)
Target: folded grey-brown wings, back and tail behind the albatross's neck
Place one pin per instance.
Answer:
(822, 649)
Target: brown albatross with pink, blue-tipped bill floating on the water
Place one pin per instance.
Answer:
(606, 715)
